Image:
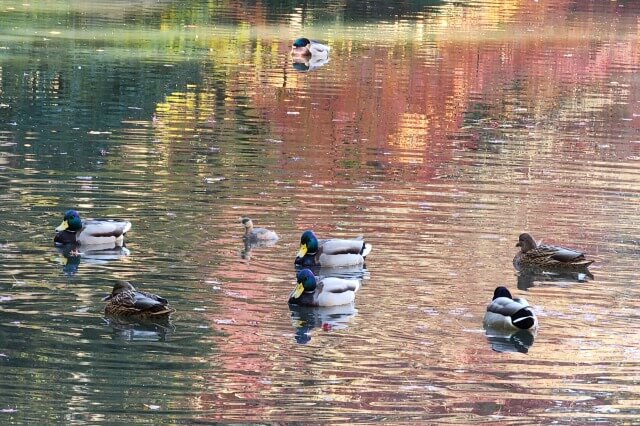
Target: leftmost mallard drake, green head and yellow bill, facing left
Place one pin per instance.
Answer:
(74, 230)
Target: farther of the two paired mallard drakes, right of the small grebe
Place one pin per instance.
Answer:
(331, 253)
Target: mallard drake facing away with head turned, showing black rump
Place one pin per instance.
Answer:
(506, 313)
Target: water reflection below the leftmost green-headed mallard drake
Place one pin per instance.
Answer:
(73, 254)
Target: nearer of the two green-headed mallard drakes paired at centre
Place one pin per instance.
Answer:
(328, 291)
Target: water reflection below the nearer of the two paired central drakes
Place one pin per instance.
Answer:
(305, 318)
